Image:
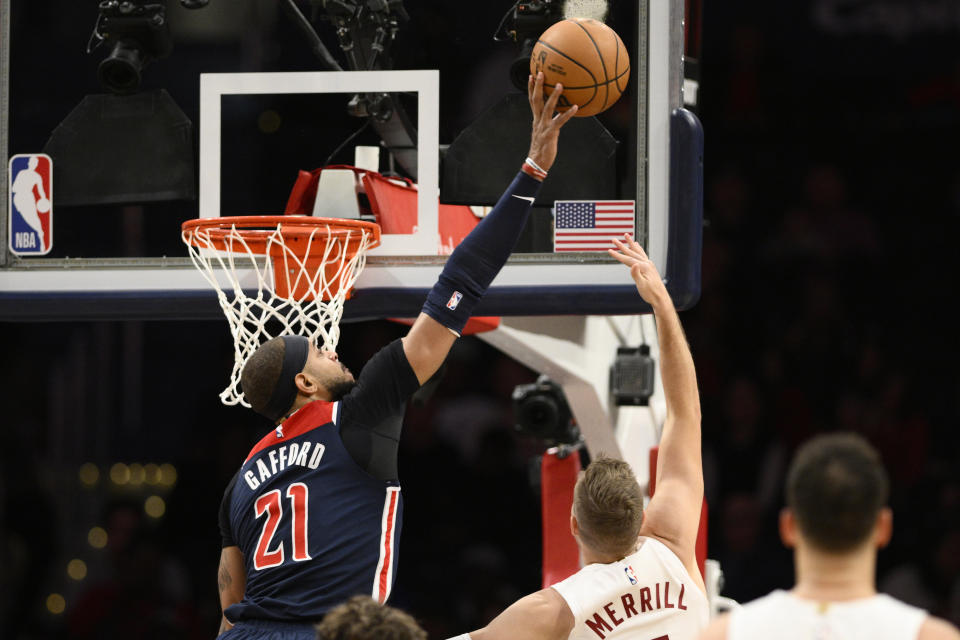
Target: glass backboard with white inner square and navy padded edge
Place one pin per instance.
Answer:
(245, 109)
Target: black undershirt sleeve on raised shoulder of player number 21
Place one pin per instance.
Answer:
(371, 415)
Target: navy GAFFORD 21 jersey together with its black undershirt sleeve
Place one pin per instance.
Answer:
(314, 526)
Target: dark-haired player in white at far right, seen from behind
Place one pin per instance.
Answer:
(835, 520)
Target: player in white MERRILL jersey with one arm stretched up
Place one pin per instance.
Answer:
(640, 578)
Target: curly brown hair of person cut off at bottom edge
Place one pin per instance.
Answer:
(363, 618)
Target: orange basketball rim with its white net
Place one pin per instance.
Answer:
(279, 281)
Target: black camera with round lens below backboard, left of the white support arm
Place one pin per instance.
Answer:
(541, 411)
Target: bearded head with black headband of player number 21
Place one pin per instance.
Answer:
(286, 368)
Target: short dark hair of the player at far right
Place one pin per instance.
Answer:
(836, 487)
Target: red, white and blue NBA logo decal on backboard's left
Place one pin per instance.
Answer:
(31, 212)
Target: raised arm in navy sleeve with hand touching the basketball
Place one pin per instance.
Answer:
(477, 260)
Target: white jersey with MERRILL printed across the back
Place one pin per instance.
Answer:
(648, 595)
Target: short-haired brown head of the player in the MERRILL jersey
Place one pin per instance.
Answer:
(608, 505)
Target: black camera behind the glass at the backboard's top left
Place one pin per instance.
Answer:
(137, 33)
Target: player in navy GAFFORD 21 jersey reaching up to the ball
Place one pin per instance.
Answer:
(313, 515)
